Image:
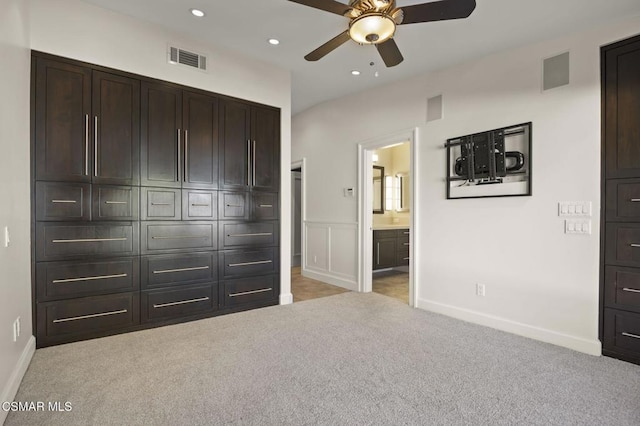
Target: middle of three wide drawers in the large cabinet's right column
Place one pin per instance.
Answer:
(236, 263)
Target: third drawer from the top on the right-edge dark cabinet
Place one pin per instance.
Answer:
(622, 288)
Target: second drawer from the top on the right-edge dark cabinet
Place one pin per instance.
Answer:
(623, 244)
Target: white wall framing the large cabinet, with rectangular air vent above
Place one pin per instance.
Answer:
(75, 29)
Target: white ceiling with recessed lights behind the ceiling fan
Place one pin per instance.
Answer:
(245, 25)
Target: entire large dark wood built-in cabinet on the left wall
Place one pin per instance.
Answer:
(131, 226)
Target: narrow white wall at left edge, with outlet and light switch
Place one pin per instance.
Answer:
(15, 272)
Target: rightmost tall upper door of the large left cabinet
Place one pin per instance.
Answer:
(265, 155)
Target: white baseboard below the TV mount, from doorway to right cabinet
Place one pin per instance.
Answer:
(590, 347)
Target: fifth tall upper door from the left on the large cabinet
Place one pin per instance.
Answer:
(235, 144)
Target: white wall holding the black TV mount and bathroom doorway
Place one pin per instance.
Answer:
(539, 282)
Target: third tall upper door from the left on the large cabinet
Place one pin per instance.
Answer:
(161, 134)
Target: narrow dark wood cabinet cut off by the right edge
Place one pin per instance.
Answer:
(620, 239)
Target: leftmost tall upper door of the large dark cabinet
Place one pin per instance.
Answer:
(62, 121)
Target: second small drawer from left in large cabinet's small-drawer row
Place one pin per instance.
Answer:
(115, 203)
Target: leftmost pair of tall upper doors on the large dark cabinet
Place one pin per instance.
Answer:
(87, 124)
